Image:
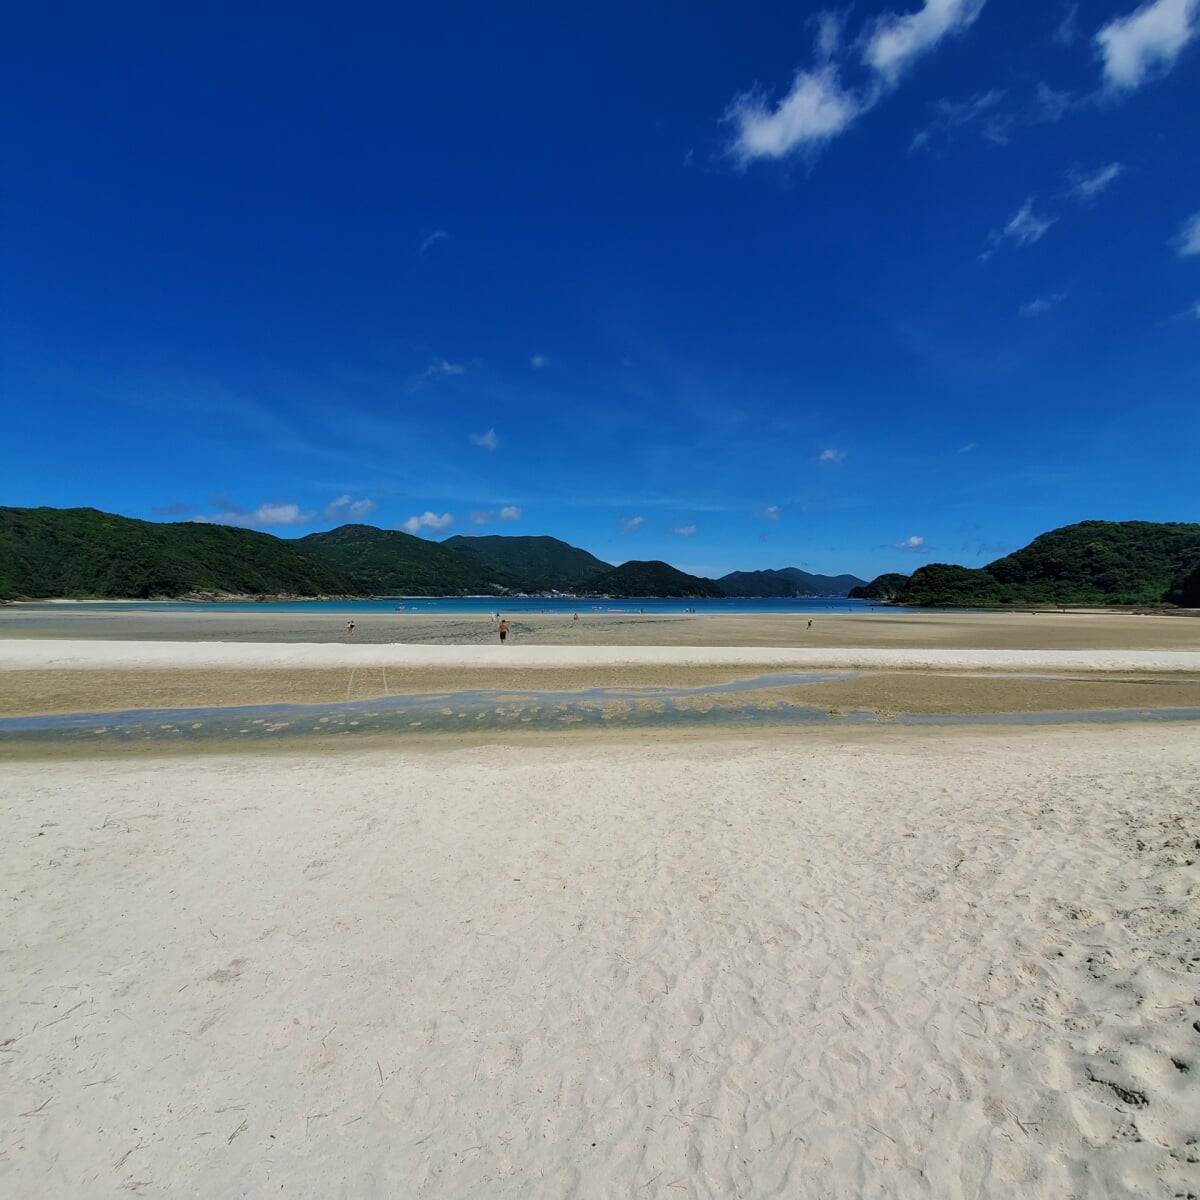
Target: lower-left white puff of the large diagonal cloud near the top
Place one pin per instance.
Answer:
(815, 111)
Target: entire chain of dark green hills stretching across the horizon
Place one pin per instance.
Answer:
(83, 554)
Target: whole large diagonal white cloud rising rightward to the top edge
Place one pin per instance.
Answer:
(818, 106)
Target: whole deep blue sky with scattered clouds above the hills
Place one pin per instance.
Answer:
(736, 286)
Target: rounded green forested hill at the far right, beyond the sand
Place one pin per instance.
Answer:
(1091, 563)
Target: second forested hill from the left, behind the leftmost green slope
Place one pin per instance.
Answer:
(393, 562)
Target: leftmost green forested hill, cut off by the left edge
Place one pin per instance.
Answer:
(86, 554)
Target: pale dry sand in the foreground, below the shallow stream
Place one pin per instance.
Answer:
(820, 965)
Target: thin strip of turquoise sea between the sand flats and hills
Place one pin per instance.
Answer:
(806, 608)
